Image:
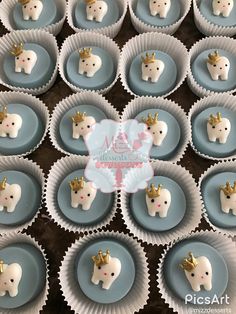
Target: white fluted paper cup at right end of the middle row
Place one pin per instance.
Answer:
(222, 101)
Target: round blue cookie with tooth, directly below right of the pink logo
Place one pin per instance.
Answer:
(159, 211)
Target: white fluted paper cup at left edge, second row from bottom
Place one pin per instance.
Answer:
(30, 168)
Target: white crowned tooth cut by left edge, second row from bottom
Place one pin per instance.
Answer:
(10, 195)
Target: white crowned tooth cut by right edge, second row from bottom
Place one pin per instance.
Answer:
(228, 198)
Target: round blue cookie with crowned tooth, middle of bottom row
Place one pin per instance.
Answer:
(101, 282)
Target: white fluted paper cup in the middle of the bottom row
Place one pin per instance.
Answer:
(75, 298)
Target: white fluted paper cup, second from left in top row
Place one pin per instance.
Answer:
(109, 31)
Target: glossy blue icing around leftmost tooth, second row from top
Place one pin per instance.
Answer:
(40, 74)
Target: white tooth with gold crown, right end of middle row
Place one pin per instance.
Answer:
(218, 128)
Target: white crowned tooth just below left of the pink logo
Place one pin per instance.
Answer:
(82, 193)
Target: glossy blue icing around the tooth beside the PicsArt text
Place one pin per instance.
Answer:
(175, 276)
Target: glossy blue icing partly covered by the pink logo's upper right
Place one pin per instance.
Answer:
(172, 138)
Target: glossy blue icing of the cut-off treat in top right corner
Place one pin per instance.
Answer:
(207, 11)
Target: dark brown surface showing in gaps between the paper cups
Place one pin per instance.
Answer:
(53, 238)
